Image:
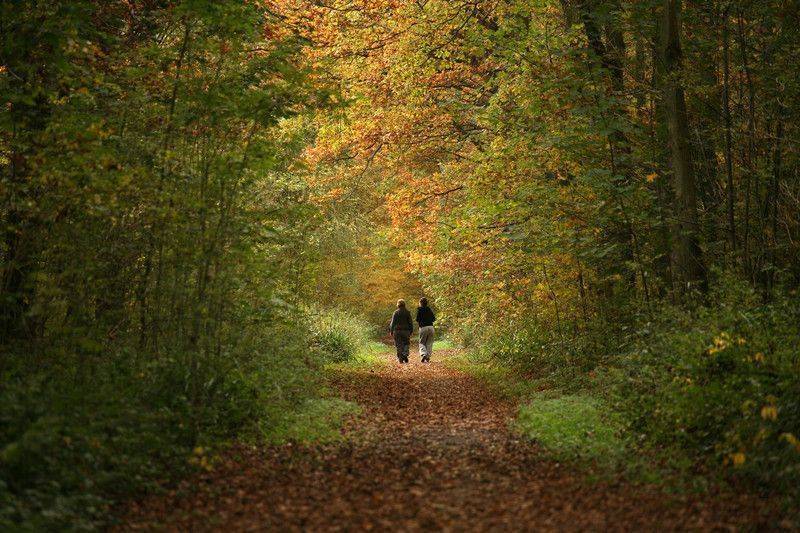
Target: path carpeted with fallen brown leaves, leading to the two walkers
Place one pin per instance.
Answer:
(431, 450)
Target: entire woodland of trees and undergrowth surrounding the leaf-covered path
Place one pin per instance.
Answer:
(210, 207)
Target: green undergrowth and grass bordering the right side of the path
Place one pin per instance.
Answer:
(707, 390)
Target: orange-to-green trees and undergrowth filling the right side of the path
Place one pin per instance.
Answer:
(588, 187)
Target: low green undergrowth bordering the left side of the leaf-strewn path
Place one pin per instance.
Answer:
(74, 443)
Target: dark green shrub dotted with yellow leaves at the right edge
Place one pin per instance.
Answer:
(720, 384)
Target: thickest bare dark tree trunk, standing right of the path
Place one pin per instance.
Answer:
(687, 260)
